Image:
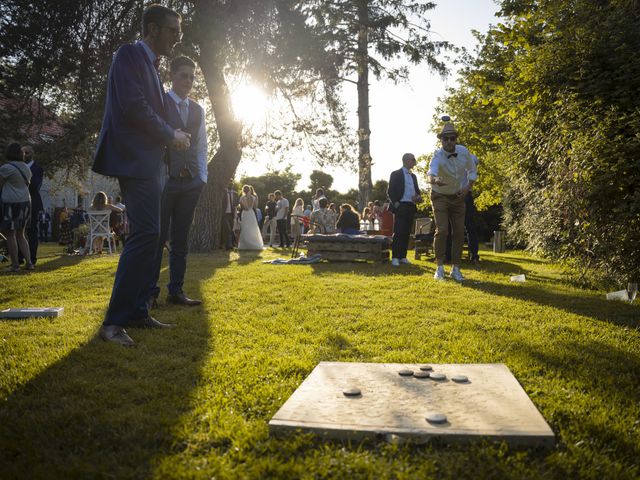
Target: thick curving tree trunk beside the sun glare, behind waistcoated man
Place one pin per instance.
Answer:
(206, 231)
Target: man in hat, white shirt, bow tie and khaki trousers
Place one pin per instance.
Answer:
(451, 174)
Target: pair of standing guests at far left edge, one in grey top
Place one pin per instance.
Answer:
(20, 203)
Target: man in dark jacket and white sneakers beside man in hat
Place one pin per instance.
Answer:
(403, 194)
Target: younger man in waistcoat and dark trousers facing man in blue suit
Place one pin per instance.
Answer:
(187, 175)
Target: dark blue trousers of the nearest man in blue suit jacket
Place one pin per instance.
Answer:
(135, 268)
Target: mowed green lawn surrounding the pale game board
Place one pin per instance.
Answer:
(195, 402)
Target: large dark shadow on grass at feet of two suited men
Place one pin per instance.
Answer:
(104, 410)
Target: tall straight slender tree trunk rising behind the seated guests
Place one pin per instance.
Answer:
(364, 133)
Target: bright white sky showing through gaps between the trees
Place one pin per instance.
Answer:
(401, 115)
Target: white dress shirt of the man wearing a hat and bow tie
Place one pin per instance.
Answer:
(455, 169)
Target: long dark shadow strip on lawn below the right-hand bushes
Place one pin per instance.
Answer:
(597, 308)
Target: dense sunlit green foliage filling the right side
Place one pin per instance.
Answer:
(551, 106)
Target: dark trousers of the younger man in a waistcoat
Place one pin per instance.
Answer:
(177, 207)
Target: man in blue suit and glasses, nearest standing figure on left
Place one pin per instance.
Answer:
(132, 141)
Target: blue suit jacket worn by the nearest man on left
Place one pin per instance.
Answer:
(134, 132)
